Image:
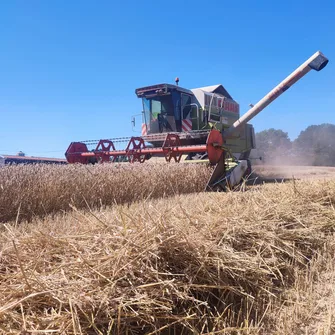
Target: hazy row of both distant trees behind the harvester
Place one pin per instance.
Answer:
(314, 146)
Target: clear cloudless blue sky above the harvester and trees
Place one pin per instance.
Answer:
(69, 68)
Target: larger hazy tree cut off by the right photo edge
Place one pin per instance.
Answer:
(316, 145)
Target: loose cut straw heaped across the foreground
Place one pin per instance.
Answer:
(205, 264)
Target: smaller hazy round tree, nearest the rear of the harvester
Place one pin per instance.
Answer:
(272, 144)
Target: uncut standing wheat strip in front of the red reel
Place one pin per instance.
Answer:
(37, 190)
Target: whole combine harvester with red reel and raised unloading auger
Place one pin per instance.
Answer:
(197, 124)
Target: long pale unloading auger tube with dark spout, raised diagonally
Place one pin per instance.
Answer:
(316, 62)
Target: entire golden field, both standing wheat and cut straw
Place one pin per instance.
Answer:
(142, 250)
